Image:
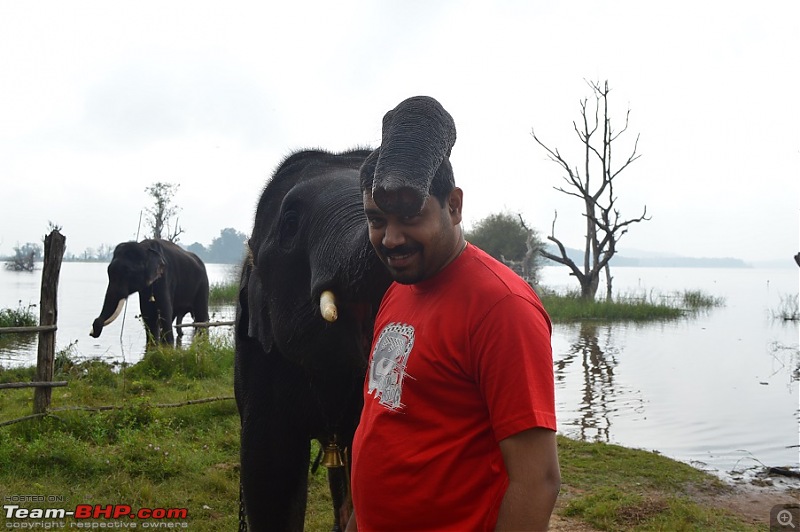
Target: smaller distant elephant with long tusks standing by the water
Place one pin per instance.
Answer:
(171, 282)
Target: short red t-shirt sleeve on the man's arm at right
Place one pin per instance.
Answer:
(513, 364)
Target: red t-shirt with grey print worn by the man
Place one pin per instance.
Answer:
(459, 362)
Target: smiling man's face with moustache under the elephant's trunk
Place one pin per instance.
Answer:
(416, 246)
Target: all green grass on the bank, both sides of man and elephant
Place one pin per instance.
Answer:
(132, 436)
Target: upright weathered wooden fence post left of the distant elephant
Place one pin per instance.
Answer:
(54, 245)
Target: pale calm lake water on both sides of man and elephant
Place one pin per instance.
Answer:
(718, 390)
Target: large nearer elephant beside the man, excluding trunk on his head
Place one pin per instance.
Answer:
(300, 368)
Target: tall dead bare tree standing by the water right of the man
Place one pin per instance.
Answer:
(604, 224)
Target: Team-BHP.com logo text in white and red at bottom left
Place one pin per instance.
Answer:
(19, 518)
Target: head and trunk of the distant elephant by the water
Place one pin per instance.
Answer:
(134, 267)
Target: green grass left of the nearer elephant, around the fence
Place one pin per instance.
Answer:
(107, 440)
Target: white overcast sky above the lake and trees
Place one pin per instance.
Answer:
(99, 100)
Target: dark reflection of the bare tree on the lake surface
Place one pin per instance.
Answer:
(587, 368)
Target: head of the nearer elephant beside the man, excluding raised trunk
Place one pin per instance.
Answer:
(310, 242)
